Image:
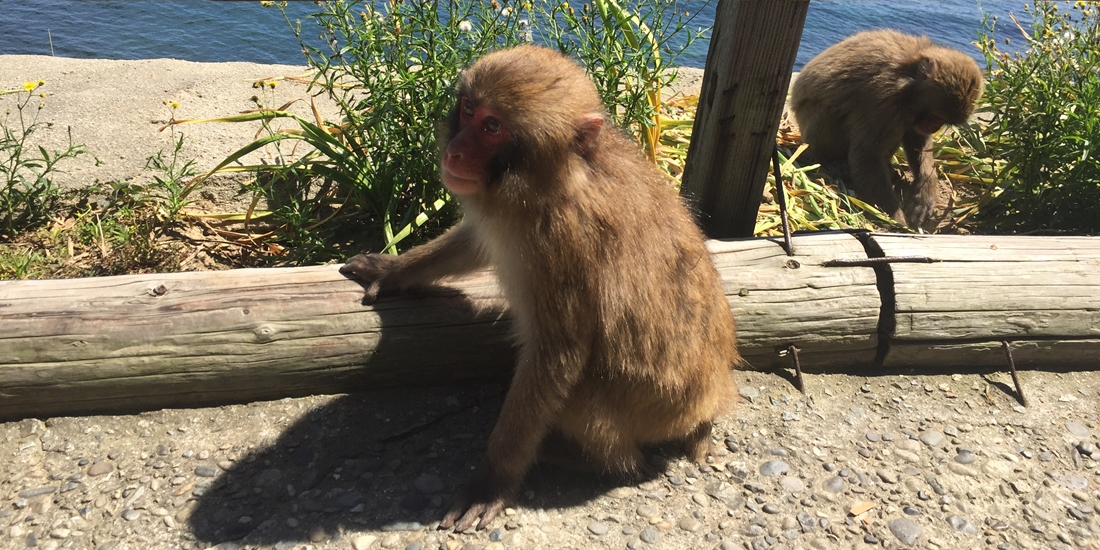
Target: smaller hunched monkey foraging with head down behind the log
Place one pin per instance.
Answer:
(862, 98)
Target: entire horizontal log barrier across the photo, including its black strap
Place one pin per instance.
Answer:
(138, 343)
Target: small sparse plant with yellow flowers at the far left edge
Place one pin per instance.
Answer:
(27, 193)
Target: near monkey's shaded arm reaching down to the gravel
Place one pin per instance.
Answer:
(546, 375)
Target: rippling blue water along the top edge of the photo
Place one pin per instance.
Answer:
(207, 31)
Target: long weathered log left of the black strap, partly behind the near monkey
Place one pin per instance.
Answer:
(139, 343)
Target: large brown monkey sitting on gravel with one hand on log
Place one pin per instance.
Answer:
(625, 335)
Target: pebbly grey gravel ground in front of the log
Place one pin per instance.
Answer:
(890, 461)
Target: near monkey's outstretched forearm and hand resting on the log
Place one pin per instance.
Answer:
(454, 254)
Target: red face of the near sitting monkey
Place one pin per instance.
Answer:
(479, 137)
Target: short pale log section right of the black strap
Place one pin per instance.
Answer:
(1040, 293)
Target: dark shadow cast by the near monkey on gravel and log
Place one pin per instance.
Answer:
(387, 459)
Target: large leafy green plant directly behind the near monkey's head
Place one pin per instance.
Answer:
(391, 69)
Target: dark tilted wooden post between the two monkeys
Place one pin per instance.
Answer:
(749, 72)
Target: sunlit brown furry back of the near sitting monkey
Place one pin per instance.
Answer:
(666, 340)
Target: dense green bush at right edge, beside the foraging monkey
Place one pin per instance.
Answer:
(1044, 125)
